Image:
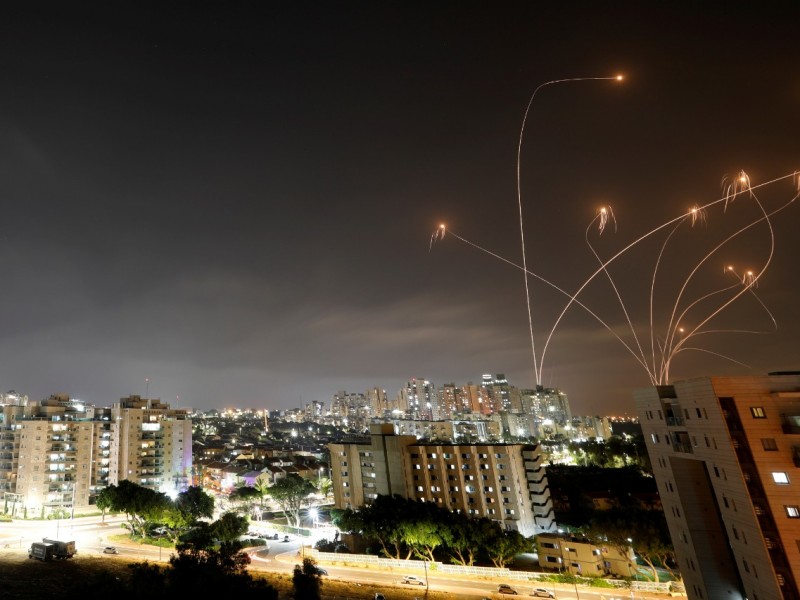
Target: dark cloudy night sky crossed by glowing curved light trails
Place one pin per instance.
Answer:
(236, 200)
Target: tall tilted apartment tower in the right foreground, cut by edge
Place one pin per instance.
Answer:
(726, 456)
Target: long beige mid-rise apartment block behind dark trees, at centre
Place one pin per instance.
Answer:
(504, 482)
